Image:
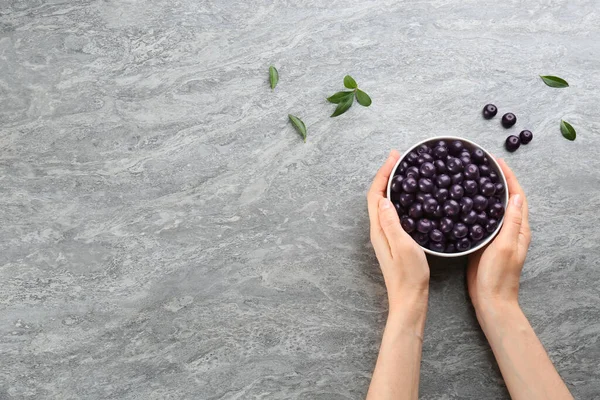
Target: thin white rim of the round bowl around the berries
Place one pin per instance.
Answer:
(493, 164)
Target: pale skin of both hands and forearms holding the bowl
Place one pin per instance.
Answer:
(493, 282)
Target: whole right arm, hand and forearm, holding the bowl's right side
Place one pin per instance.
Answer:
(493, 279)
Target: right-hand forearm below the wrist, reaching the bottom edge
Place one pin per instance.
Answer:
(525, 366)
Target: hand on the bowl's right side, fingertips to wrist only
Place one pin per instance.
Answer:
(493, 273)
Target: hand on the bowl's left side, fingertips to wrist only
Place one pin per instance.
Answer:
(403, 262)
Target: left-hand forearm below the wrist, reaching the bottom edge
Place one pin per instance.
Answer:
(396, 374)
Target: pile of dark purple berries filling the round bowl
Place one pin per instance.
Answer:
(448, 196)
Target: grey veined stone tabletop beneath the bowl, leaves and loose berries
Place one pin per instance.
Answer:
(166, 234)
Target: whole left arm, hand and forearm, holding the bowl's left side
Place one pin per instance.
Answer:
(406, 275)
